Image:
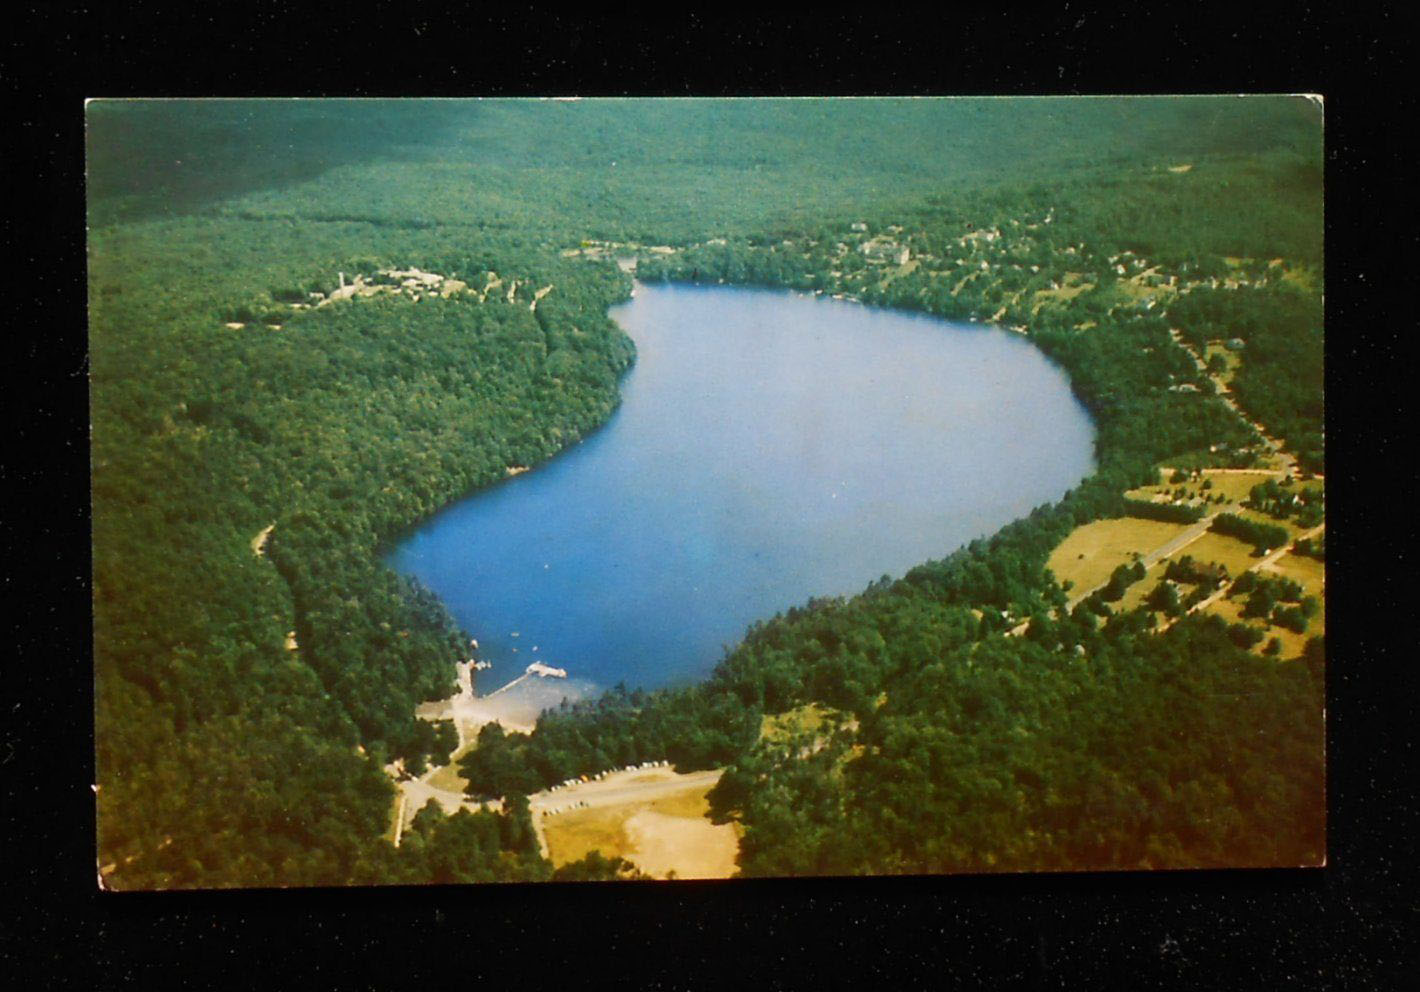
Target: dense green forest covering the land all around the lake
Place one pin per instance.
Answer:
(249, 695)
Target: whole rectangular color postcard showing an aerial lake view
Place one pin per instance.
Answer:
(574, 490)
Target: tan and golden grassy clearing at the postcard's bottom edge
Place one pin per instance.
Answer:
(668, 834)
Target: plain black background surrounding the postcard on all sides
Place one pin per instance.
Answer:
(1351, 925)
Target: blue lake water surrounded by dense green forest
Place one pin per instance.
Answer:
(770, 448)
